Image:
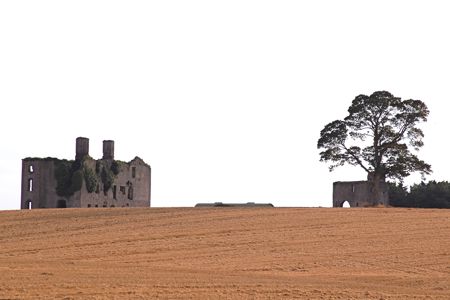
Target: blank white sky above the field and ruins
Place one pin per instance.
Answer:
(224, 99)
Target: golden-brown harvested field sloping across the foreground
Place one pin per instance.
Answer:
(279, 253)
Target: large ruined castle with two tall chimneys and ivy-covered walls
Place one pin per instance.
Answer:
(85, 182)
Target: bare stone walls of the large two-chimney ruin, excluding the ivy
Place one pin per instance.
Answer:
(131, 185)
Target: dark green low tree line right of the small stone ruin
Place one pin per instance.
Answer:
(423, 195)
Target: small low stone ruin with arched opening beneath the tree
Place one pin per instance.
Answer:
(359, 194)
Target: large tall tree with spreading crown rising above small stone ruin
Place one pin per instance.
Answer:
(377, 135)
